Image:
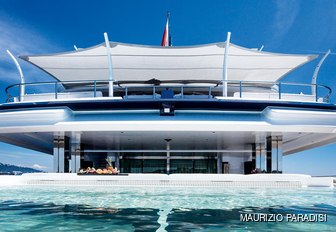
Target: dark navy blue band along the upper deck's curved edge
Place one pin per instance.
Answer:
(110, 104)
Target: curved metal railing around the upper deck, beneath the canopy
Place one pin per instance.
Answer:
(38, 91)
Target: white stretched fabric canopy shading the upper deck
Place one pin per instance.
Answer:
(142, 63)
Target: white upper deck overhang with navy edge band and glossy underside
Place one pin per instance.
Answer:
(128, 124)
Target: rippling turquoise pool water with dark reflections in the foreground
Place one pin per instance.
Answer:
(46, 208)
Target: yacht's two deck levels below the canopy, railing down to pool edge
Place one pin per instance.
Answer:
(169, 129)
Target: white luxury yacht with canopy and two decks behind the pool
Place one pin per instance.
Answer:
(214, 108)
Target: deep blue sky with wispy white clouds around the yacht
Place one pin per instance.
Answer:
(285, 26)
